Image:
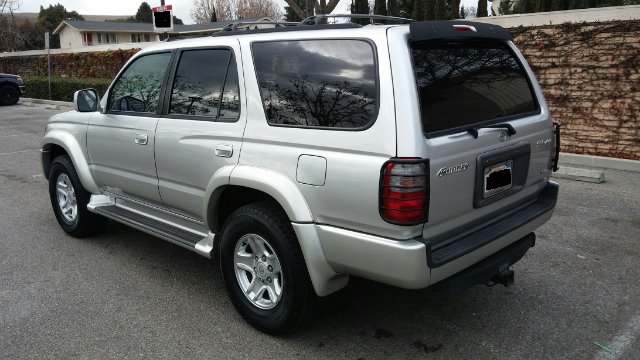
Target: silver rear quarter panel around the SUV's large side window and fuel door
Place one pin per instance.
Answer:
(349, 196)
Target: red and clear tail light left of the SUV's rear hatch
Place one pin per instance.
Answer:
(404, 191)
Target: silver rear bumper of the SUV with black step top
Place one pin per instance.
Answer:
(415, 264)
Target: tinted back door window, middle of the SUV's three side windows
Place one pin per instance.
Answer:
(206, 84)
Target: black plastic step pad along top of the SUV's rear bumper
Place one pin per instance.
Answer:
(470, 242)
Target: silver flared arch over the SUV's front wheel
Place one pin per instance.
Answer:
(56, 143)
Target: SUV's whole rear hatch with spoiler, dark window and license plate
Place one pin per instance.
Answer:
(485, 127)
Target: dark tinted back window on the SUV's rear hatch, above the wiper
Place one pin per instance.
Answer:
(470, 82)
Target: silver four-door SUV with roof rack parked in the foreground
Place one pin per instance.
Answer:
(414, 155)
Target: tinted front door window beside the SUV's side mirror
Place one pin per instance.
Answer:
(138, 88)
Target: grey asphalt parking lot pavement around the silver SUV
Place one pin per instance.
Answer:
(127, 295)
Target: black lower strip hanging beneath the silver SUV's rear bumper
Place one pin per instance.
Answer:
(487, 269)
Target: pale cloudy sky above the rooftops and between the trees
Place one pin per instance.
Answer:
(181, 8)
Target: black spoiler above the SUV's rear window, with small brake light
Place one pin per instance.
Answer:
(438, 30)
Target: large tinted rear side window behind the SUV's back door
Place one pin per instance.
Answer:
(324, 83)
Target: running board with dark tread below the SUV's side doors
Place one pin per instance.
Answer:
(166, 231)
